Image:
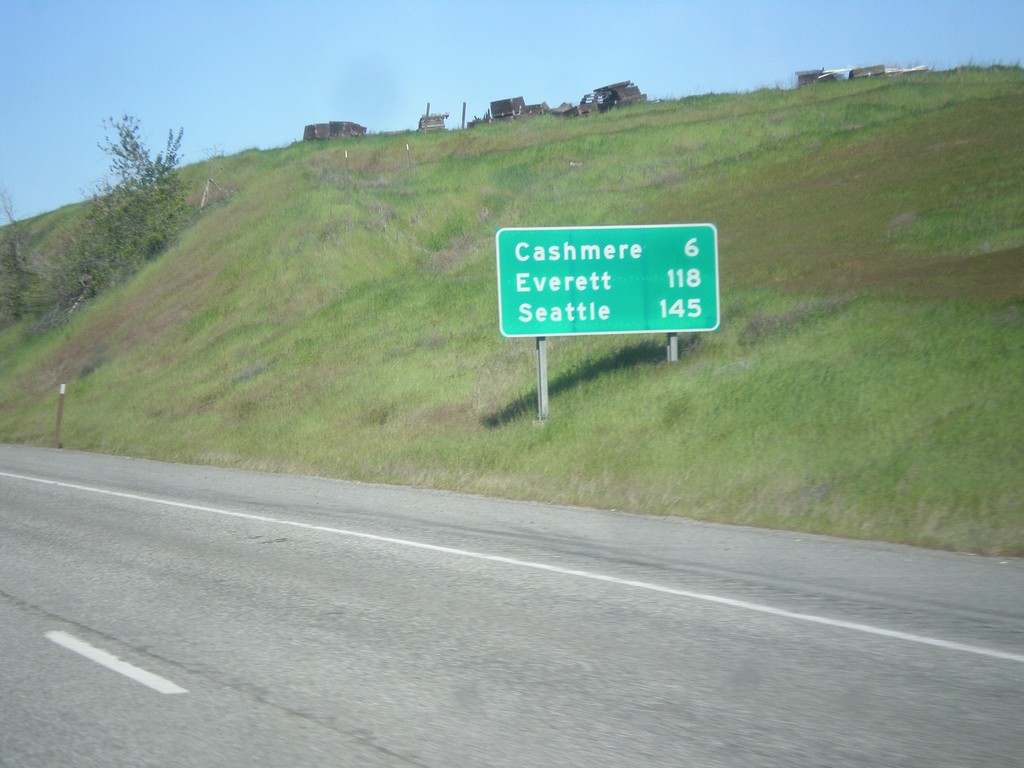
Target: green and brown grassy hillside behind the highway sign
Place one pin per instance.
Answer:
(337, 316)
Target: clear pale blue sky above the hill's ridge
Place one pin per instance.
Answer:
(240, 75)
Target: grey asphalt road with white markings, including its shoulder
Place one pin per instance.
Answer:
(158, 615)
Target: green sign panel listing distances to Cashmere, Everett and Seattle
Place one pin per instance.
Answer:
(608, 280)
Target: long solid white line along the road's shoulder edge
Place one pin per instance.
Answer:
(716, 600)
